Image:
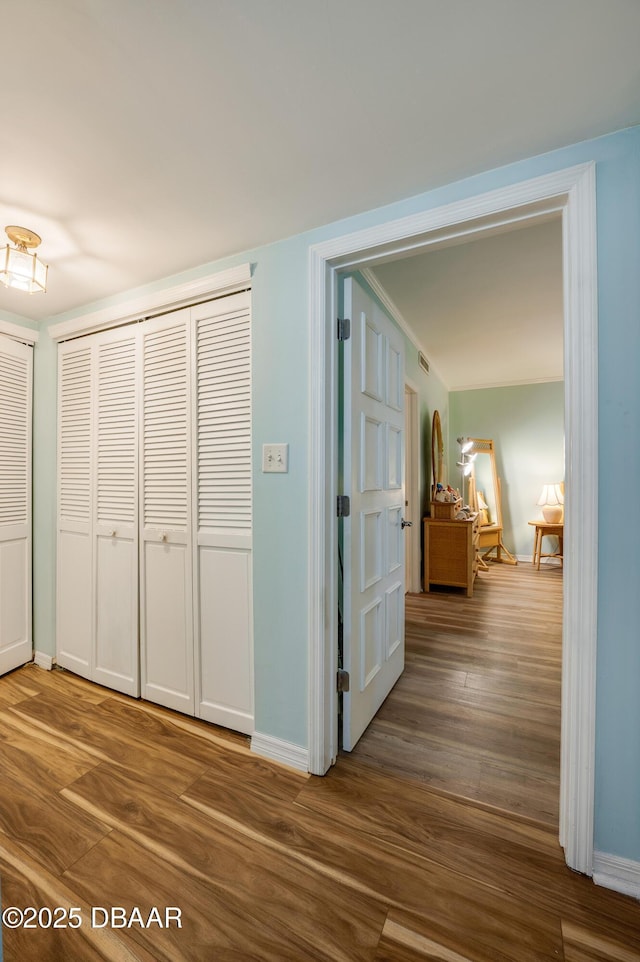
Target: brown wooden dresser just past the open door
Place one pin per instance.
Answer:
(451, 552)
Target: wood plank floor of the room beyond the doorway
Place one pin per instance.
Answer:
(477, 711)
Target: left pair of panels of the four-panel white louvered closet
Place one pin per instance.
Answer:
(97, 593)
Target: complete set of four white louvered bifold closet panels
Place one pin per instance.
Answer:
(154, 521)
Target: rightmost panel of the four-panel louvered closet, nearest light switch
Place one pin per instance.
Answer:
(222, 491)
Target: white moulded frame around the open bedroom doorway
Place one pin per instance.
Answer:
(570, 192)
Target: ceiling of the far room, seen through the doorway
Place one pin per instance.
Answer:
(488, 312)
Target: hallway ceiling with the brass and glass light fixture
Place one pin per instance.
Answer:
(144, 137)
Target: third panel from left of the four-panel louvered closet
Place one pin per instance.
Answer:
(165, 493)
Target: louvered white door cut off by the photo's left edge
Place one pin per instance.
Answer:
(16, 362)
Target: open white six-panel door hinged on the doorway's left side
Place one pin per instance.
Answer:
(373, 540)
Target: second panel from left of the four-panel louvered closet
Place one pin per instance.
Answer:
(115, 529)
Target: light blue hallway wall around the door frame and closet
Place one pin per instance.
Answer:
(281, 367)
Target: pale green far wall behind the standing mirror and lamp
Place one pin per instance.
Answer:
(527, 425)
